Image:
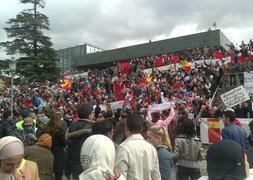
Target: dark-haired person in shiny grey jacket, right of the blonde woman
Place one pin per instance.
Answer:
(187, 152)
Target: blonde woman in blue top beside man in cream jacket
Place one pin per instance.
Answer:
(160, 139)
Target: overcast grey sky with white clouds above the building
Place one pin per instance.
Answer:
(116, 23)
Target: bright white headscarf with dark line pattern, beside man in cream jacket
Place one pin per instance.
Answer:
(97, 158)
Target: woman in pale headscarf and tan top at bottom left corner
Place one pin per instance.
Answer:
(12, 164)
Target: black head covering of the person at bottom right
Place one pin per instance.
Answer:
(225, 159)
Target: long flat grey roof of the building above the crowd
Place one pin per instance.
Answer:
(205, 39)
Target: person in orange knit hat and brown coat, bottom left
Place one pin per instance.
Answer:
(42, 155)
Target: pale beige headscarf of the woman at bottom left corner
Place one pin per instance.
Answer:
(10, 146)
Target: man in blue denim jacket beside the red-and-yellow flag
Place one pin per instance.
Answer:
(233, 131)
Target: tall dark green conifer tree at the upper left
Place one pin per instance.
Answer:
(38, 60)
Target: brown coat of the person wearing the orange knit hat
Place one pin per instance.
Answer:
(44, 159)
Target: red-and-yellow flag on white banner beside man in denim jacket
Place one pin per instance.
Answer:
(214, 130)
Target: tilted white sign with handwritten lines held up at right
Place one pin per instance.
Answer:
(235, 96)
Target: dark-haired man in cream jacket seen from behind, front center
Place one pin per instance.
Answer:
(136, 158)
